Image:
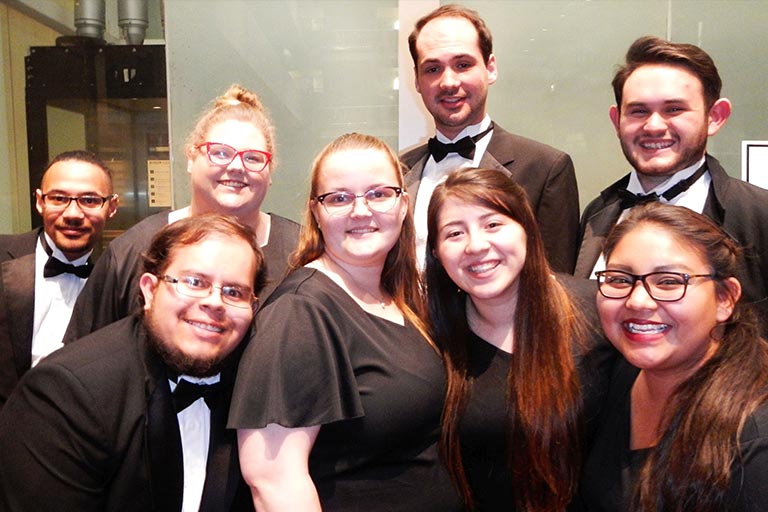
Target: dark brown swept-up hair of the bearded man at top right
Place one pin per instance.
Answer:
(650, 50)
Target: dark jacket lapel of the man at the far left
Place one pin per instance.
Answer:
(19, 289)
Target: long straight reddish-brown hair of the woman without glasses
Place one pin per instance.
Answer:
(542, 385)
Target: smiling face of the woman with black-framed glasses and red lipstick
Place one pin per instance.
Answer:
(665, 338)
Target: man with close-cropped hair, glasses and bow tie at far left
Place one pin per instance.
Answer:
(43, 271)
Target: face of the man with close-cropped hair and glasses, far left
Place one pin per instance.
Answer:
(73, 229)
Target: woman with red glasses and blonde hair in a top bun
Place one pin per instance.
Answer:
(230, 159)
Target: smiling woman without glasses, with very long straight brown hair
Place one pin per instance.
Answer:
(509, 330)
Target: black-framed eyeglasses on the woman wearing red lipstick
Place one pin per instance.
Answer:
(661, 286)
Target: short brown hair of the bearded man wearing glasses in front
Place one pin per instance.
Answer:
(191, 230)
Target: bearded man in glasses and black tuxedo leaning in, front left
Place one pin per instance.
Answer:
(133, 416)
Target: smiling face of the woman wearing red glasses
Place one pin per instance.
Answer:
(230, 189)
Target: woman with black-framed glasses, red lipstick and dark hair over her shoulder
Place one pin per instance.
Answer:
(687, 422)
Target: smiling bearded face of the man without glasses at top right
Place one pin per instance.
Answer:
(663, 122)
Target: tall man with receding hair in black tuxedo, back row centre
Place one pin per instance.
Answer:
(453, 59)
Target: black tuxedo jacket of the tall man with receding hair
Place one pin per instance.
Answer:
(545, 173)
